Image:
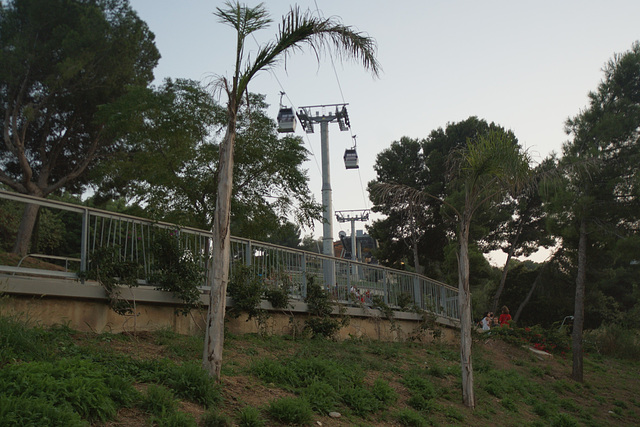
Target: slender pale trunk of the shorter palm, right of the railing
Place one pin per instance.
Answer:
(464, 302)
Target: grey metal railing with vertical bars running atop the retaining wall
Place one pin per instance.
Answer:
(348, 281)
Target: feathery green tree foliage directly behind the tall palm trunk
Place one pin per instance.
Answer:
(171, 165)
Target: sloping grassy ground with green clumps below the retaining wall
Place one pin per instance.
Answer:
(73, 378)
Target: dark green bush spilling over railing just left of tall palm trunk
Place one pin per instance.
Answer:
(176, 269)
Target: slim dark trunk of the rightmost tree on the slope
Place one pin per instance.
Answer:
(578, 314)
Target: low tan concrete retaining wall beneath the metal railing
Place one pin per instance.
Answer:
(84, 307)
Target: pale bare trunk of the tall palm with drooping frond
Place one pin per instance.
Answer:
(219, 277)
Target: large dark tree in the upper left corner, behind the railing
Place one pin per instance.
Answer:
(63, 63)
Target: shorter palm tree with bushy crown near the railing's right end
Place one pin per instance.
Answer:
(485, 170)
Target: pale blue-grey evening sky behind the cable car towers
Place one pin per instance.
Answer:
(527, 66)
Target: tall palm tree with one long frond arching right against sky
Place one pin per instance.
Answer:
(296, 31)
